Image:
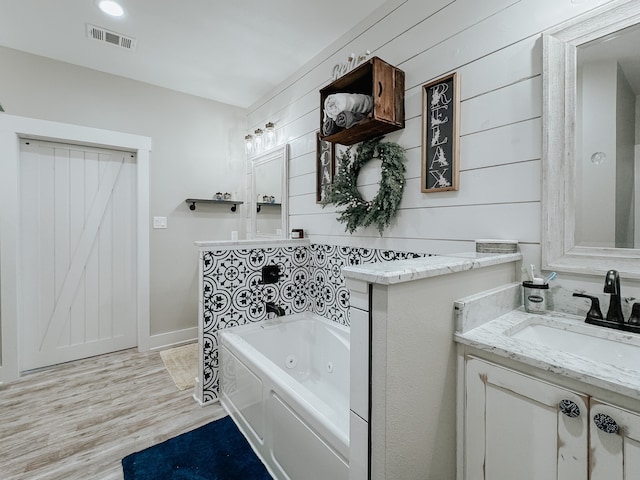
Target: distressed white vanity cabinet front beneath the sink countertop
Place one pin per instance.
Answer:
(518, 426)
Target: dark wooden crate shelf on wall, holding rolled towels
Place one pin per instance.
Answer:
(385, 84)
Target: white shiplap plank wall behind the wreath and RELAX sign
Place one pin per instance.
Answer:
(495, 45)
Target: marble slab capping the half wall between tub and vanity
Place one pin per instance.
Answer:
(387, 273)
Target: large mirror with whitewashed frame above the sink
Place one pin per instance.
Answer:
(591, 143)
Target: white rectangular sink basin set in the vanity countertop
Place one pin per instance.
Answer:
(600, 344)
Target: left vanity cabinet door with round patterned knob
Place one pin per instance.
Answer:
(515, 429)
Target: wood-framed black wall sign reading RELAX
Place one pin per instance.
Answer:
(440, 120)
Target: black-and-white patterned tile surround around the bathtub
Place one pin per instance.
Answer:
(232, 295)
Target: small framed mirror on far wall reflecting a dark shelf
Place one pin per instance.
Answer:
(269, 194)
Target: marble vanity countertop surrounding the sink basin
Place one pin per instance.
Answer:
(491, 337)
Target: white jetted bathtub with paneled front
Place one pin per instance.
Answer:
(285, 382)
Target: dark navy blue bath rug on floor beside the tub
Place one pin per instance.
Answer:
(216, 451)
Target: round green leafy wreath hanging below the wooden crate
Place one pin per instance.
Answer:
(344, 190)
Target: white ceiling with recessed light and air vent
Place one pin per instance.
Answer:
(233, 51)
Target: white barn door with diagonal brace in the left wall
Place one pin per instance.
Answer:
(77, 252)
